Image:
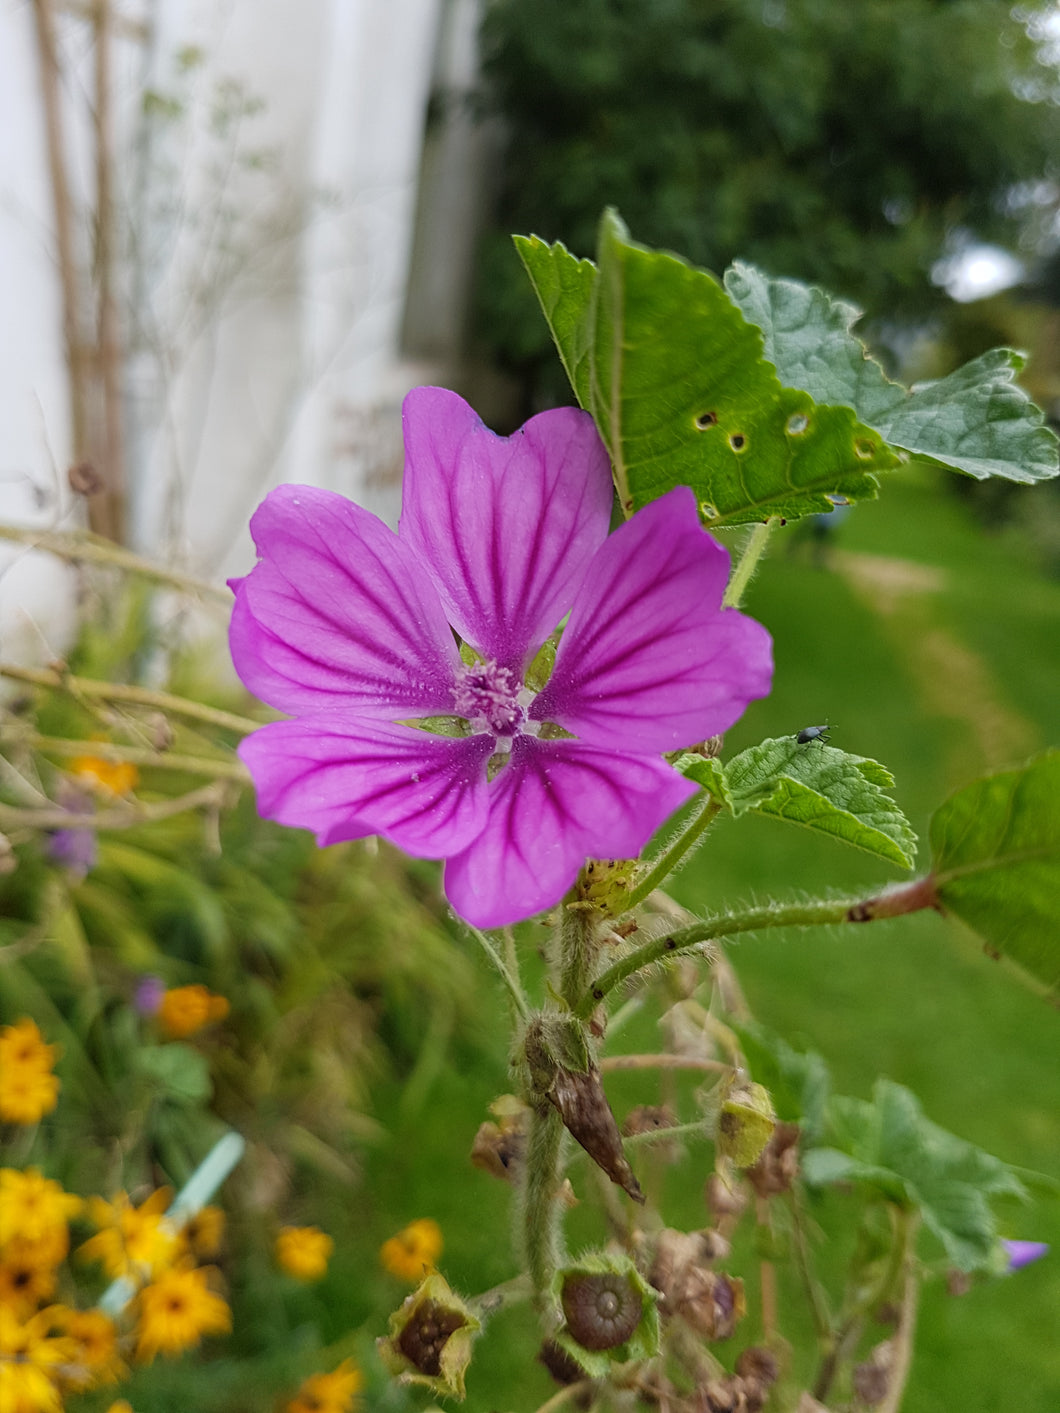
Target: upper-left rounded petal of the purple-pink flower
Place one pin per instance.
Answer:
(338, 613)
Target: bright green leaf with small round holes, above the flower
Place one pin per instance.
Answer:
(681, 392)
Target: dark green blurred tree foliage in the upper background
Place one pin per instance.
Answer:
(836, 143)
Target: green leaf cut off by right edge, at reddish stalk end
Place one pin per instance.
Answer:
(997, 864)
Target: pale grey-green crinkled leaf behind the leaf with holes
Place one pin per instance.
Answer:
(977, 422)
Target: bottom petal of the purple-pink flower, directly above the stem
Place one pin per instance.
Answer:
(552, 808)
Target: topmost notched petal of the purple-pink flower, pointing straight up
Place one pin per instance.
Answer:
(505, 525)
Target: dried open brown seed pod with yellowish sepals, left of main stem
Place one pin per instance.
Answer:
(430, 1339)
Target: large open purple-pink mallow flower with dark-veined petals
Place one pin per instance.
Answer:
(350, 629)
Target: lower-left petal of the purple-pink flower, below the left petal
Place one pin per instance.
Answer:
(346, 779)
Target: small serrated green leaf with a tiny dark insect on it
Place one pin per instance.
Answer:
(823, 789)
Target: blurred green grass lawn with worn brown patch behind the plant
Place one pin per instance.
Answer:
(934, 648)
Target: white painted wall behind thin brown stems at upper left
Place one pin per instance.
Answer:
(268, 296)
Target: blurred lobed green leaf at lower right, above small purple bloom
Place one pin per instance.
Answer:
(891, 1147)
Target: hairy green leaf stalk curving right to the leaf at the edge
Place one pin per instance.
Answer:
(909, 898)
